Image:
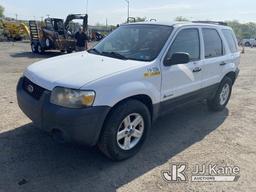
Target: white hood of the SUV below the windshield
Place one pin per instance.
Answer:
(76, 70)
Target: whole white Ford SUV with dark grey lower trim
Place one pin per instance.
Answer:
(111, 94)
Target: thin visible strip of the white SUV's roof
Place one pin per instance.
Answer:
(181, 24)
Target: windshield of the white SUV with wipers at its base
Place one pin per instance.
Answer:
(135, 42)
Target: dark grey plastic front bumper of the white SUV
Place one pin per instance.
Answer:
(79, 125)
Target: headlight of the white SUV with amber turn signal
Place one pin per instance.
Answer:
(72, 98)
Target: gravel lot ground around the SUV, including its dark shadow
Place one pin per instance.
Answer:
(31, 161)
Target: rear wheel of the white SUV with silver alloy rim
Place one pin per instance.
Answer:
(220, 100)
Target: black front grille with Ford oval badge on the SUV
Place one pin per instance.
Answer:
(32, 89)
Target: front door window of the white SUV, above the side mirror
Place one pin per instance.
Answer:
(186, 41)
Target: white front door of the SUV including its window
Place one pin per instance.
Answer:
(182, 79)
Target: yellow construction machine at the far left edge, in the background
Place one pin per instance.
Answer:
(14, 30)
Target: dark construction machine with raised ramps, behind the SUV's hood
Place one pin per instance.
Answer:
(55, 33)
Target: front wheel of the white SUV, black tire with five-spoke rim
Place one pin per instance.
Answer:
(125, 130)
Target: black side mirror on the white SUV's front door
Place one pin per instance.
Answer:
(177, 58)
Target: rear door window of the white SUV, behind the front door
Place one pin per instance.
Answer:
(212, 43)
